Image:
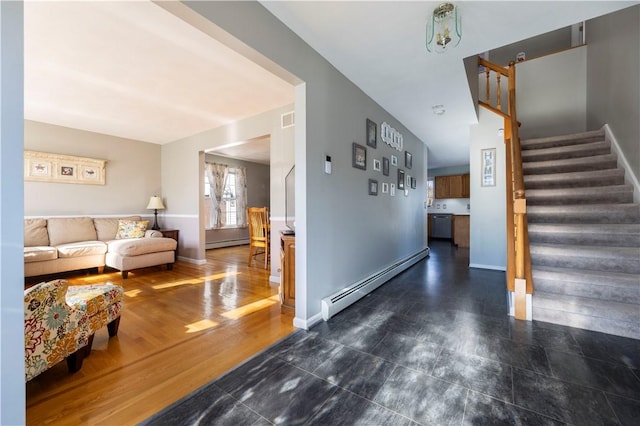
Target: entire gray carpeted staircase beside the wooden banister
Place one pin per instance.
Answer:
(584, 232)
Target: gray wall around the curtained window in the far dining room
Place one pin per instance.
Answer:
(258, 187)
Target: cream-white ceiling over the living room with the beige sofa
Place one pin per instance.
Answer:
(134, 70)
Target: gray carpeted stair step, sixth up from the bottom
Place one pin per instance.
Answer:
(594, 195)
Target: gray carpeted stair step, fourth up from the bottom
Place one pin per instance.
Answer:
(621, 235)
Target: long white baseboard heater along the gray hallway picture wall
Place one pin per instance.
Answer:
(338, 301)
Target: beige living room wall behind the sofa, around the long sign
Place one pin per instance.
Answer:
(132, 174)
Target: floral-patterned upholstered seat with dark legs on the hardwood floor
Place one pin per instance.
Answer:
(60, 322)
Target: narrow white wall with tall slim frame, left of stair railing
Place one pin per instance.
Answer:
(488, 219)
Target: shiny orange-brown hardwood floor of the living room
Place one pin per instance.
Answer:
(179, 330)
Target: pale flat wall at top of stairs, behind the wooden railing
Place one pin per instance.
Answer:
(551, 95)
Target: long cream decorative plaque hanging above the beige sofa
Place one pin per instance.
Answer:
(45, 167)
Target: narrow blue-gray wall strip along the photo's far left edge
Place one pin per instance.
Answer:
(12, 387)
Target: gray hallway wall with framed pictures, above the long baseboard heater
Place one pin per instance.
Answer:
(343, 234)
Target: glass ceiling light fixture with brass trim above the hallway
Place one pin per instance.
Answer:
(444, 29)
